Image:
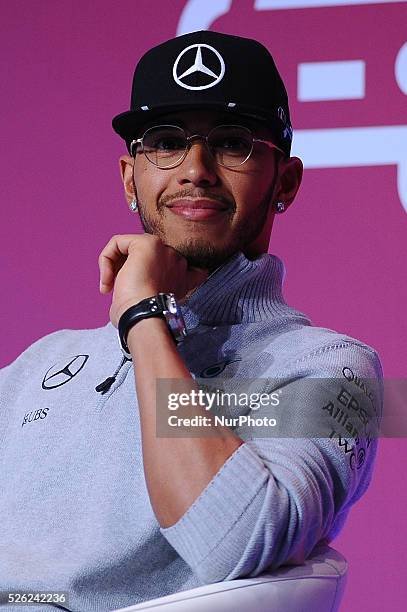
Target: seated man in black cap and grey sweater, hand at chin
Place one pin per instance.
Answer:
(95, 501)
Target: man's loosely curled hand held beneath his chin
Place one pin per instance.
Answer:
(139, 266)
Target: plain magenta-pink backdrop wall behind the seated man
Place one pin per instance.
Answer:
(67, 68)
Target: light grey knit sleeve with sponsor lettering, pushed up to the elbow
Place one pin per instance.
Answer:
(279, 494)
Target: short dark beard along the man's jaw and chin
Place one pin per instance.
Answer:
(199, 251)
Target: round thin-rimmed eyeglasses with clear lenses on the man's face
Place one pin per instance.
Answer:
(166, 146)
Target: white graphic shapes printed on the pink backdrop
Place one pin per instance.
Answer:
(333, 80)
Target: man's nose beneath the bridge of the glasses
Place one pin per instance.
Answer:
(199, 167)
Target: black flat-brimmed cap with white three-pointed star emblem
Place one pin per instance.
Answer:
(208, 69)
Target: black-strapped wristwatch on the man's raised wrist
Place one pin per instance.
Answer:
(163, 305)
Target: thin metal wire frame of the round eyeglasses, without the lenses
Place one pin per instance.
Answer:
(139, 141)
